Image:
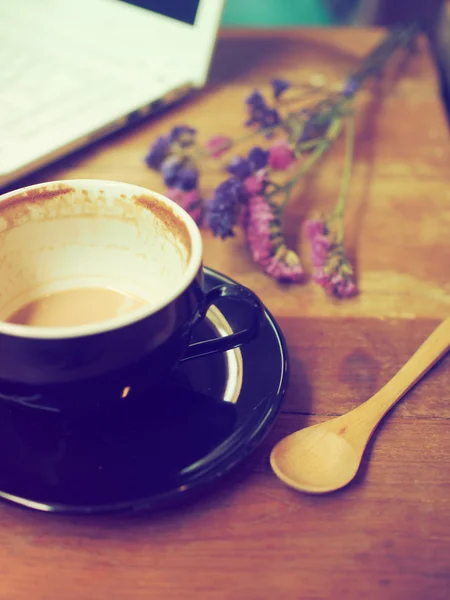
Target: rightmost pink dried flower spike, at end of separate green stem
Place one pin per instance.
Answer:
(332, 269)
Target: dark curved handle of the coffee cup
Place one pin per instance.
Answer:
(237, 293)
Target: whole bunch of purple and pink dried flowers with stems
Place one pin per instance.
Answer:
(247, 196)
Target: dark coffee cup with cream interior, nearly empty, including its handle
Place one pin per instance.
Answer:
(68, 246)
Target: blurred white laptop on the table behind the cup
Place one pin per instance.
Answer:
(73, 71)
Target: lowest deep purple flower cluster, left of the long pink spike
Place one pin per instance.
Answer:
(225, 207)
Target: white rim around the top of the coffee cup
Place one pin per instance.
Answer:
(137, 314)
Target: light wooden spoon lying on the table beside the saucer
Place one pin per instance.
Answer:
(325, 457)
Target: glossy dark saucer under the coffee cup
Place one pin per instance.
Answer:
(149, 451)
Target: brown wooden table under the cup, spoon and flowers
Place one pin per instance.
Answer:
(388, 534)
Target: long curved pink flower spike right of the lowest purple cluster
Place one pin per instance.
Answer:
(266, 242)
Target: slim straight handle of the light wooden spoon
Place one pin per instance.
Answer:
(427, 355)
